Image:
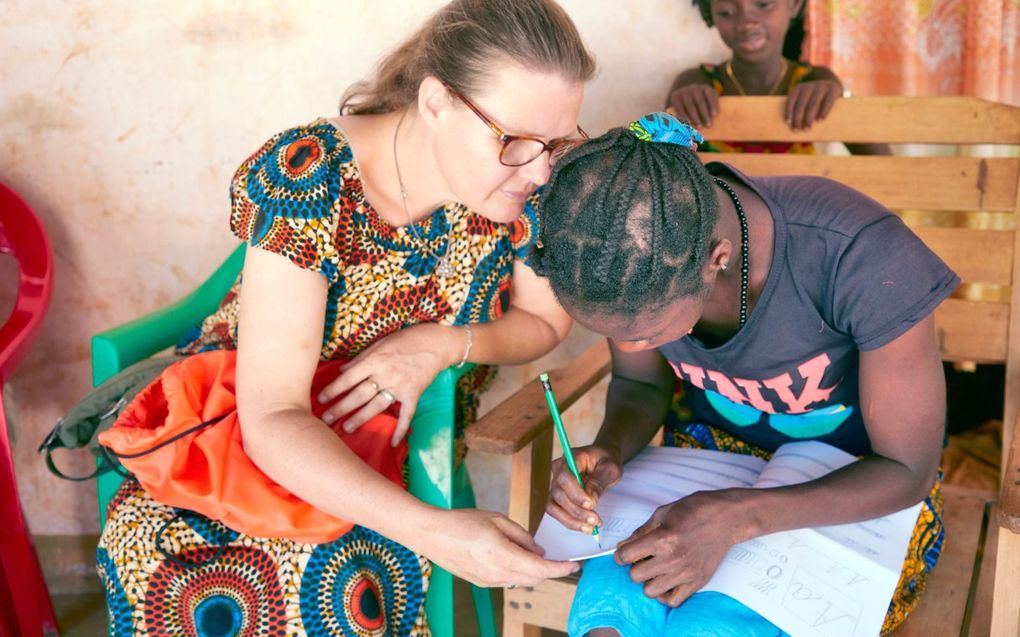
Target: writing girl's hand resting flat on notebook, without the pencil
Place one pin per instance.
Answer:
(680, 548)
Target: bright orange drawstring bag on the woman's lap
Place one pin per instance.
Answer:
(161, 439)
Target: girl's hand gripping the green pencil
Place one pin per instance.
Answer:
(600, 469)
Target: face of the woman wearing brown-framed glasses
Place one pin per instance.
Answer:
(520, 102)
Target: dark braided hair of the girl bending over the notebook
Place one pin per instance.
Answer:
(627, 226)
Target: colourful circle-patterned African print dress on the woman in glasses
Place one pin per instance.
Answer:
(173, 572)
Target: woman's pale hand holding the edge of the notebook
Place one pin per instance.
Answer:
(489, 550)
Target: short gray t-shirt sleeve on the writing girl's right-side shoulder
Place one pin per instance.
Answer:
(887, 281)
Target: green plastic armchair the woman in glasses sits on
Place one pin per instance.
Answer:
(431, 461)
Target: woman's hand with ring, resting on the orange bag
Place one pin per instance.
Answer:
(397, 367)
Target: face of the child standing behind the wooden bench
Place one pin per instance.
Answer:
(754, 30)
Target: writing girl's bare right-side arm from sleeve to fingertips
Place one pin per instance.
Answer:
(903, 399)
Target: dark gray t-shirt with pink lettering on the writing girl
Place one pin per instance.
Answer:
(847, 276)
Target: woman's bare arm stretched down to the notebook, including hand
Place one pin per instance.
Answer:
(281, 335)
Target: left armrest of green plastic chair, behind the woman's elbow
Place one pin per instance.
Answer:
(125, 345)
